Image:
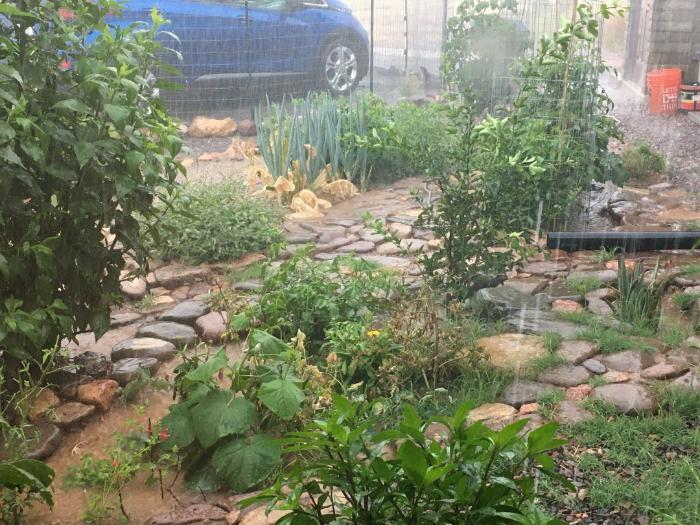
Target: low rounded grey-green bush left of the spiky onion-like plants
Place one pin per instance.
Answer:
(217, 221)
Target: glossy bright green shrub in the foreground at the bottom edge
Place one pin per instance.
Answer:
(348, 473)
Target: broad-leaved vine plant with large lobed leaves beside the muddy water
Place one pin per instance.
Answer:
(225, 435)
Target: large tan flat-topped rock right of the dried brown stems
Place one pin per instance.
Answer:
(512, 351)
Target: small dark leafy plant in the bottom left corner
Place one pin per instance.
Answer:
(21, 483)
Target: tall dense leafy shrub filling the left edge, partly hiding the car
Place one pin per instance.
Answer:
(85, 147)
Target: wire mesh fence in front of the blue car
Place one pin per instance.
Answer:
(235, 54)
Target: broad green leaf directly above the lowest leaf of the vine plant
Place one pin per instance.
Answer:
(220, 414)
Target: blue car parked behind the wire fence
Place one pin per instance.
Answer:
(316, 40)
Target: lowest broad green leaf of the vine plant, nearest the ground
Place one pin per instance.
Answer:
(245, 462)
